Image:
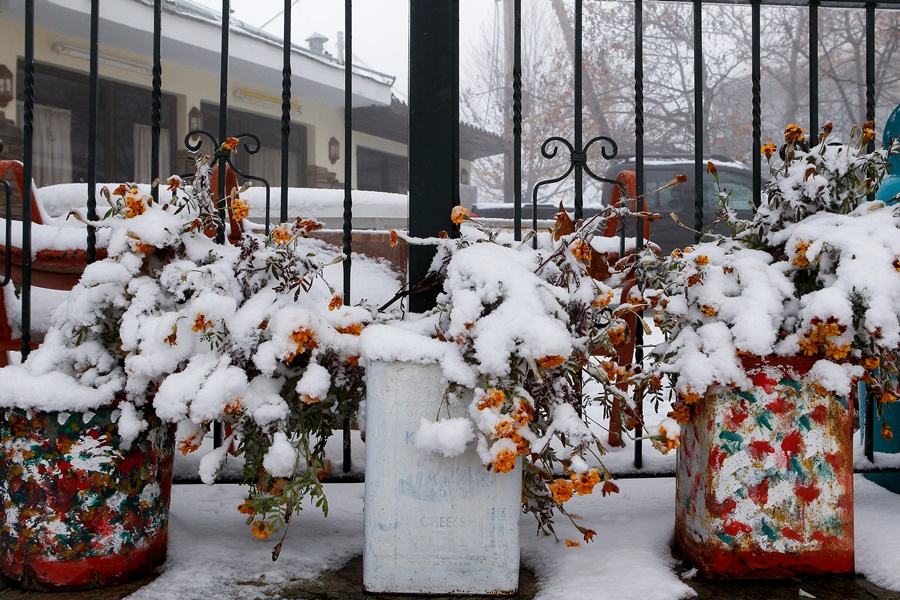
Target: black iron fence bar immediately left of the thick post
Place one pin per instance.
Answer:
(348, 173)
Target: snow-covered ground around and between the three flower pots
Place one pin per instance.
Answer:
(212, 554)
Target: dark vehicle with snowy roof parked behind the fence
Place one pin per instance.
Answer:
(658, 171)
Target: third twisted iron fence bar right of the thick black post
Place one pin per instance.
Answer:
(639, 187)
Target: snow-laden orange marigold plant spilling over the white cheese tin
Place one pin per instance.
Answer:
(520, 326)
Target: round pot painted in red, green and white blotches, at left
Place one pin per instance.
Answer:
(82, 509)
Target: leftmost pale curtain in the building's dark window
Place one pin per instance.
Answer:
(52, 145)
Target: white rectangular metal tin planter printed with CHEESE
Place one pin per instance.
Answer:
(433, 525)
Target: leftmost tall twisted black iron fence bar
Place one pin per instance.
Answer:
(27, 154)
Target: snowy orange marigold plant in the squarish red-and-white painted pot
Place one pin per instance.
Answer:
(815, 272)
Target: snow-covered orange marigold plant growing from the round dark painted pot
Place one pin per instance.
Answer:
(248, 334)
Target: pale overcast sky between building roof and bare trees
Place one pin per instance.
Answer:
(380, 27)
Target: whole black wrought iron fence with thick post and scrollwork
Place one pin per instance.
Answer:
(434, 116)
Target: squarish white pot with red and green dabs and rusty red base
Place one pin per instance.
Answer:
(765, 477)
